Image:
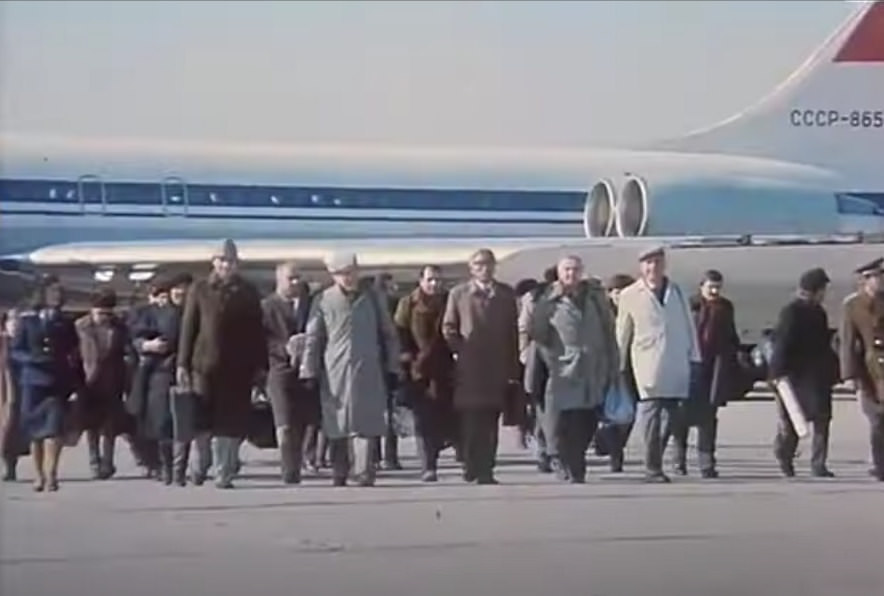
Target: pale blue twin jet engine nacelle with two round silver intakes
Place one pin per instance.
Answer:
(636, 206)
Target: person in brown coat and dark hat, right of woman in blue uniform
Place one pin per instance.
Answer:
(104, 343)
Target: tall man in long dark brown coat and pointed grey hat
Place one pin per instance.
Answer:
(222, 354)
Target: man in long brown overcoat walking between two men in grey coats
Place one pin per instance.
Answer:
(481, 327)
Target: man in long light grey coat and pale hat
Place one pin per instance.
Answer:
(351, 351)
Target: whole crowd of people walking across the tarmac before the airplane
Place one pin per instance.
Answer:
(554, 357)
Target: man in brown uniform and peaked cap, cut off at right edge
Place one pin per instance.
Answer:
(862, 353)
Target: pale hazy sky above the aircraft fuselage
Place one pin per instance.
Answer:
(564, 73)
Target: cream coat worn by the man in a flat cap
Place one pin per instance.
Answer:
(658, 340)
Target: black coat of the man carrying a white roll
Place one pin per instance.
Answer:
(803, 352)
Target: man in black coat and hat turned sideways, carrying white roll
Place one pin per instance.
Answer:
(802, 354)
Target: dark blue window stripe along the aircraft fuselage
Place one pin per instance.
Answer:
(129, 193)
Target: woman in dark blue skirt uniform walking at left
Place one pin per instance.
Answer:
(45, 347)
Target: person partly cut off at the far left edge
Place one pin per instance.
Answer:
(13, 444)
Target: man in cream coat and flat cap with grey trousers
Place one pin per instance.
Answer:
(656, 334)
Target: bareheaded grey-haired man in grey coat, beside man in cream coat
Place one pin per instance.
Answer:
(573, 327)
